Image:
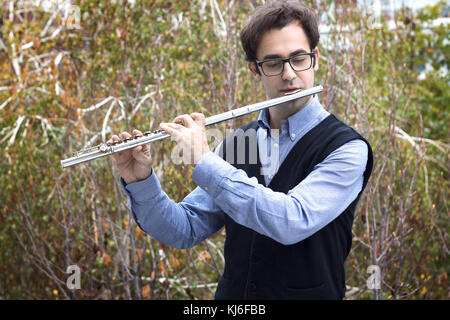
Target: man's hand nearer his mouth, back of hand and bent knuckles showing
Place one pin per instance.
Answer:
(190, 134)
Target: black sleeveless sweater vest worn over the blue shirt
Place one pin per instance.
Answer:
(258, 267)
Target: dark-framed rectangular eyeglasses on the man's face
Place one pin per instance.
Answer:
(275, 67)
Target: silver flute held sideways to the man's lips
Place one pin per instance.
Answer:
(109, 148)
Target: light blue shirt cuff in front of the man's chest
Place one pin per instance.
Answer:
(210, 171)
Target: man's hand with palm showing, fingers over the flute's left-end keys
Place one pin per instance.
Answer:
(134, 164)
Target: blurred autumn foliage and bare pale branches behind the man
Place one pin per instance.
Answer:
(133, 64)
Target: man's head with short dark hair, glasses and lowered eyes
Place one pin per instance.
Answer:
(282, 29)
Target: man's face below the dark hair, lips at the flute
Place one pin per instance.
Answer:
(283, 43)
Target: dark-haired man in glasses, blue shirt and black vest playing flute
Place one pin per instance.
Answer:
(288, 233)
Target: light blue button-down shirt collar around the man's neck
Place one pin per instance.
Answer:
(296, 122)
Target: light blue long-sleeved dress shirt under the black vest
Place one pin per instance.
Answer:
(223, 189)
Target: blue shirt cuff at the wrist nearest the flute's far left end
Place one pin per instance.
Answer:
(143, 190)
